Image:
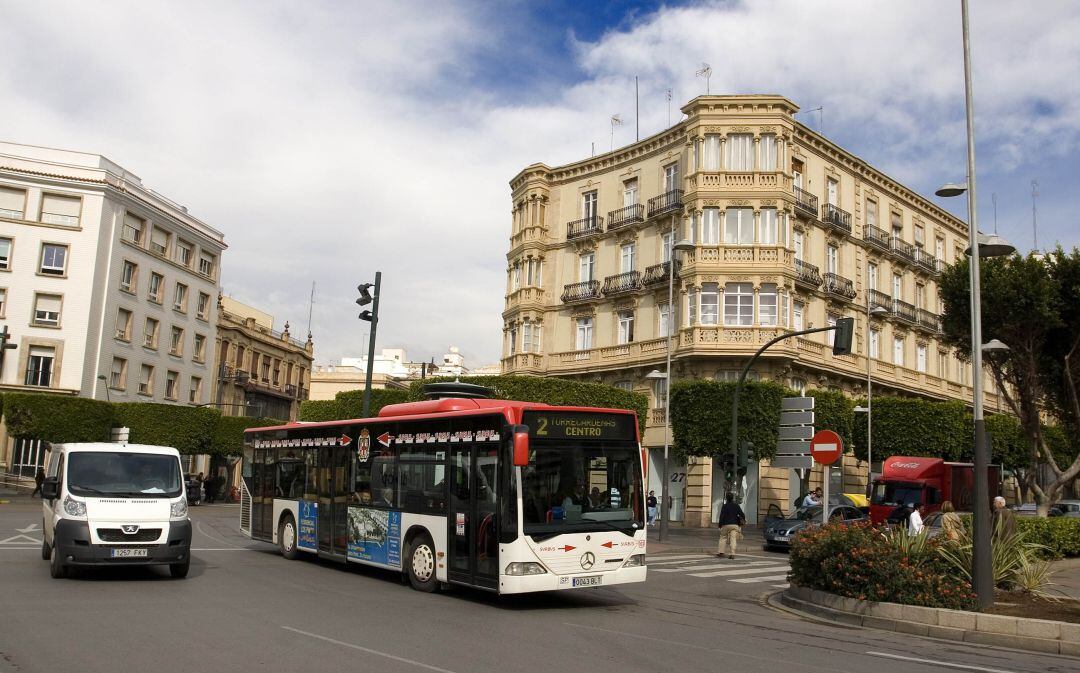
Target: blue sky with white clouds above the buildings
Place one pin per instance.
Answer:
(330, 140)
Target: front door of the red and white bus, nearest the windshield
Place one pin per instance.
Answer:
(474, 529)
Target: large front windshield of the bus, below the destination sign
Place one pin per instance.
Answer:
(571, 488)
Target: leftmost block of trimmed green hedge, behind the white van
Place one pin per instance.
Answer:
(59, 419)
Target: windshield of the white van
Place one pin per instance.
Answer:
(123, 474)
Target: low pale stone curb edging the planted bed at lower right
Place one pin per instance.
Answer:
(1039, 636)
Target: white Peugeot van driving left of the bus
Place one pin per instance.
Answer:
(107, 505)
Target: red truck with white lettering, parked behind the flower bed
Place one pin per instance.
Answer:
(927, 481)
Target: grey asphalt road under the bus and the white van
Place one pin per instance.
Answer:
(246, 609)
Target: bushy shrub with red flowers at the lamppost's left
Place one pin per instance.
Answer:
(858, 562)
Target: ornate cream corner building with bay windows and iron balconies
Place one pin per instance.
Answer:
(789, 232)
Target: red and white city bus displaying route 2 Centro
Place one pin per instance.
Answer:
(505, 496)
